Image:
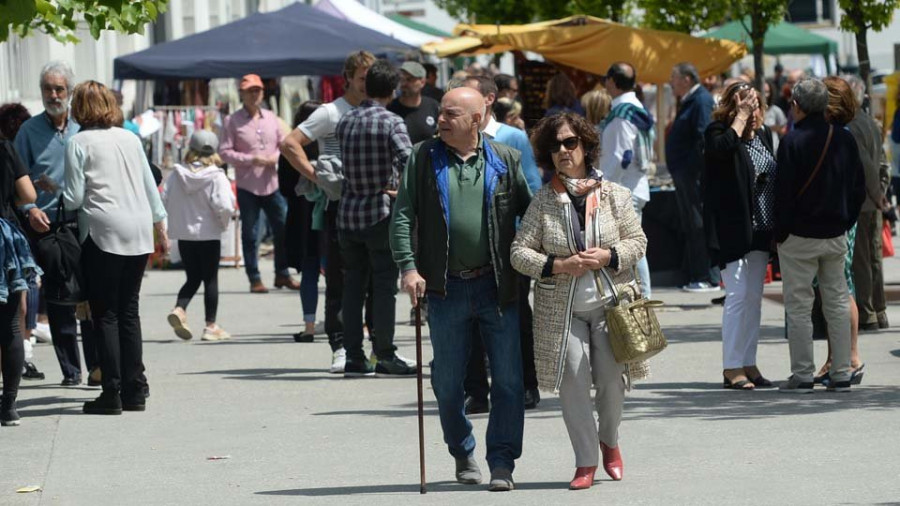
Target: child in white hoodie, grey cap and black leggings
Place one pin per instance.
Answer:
(200, 203)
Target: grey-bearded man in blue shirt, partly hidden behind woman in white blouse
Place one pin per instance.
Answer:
(41, 144)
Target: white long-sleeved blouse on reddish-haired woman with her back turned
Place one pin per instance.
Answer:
(108, 180)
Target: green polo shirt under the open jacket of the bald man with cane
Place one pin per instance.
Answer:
(469, 244)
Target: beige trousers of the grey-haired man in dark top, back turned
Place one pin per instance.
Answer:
(803, 259)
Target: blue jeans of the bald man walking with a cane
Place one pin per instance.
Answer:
(450, 319)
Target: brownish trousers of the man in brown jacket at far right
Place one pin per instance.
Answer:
(867, 271)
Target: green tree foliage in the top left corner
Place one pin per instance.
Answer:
(61, 18)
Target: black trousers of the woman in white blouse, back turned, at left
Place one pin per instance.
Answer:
(114, 287)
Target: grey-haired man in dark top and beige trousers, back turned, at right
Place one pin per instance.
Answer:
(820, 187)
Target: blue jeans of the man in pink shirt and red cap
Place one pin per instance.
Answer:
(275, 208)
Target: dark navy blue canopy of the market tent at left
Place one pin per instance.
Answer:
(296, 40)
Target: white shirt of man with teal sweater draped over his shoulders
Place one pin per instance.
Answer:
(619, 137)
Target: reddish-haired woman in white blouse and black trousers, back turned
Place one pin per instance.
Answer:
(108, 181)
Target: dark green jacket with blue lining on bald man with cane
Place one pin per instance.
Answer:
(422, 205)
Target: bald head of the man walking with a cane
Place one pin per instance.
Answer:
(462, 110)
